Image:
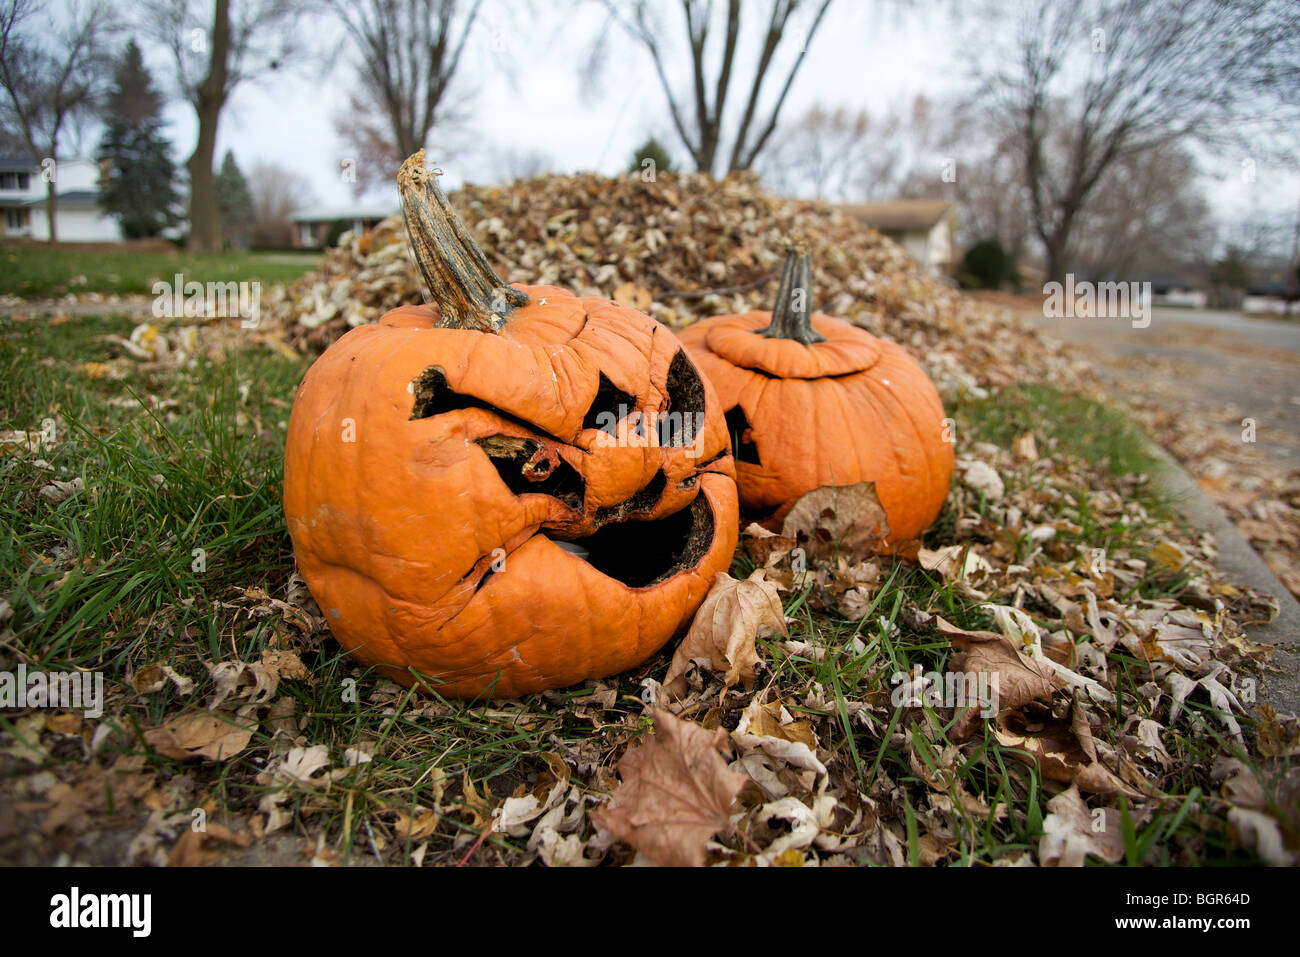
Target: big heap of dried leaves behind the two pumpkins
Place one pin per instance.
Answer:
(681, 249)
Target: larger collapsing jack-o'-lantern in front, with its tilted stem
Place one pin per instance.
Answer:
(510, 490)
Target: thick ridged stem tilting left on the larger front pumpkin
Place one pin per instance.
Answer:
(460, 278)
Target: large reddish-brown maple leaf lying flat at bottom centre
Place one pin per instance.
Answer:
(675, 793)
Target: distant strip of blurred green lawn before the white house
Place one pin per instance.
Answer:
(34, 271)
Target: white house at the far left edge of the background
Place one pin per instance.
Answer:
(79, 216)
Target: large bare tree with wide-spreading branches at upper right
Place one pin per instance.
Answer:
(1116, 79)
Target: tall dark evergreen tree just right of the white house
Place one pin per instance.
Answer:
(138, 180)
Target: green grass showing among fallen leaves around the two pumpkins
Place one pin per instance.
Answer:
(107, 581)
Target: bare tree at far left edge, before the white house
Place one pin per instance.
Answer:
(51, 77)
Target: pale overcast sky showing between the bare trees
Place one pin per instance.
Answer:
(866, 55)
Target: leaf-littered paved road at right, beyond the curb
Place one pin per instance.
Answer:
(1220, 366)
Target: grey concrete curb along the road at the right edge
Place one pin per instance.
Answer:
(1242, 565)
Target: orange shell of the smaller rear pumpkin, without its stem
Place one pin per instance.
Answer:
(848, 410)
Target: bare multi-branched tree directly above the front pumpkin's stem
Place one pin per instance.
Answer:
(409, 54)
